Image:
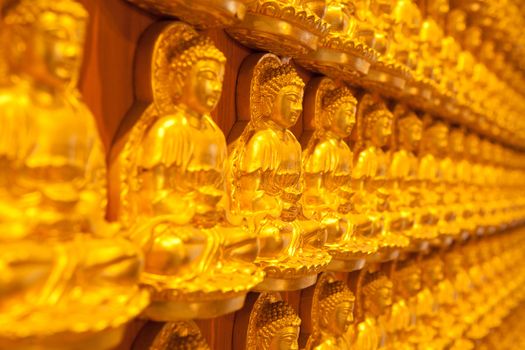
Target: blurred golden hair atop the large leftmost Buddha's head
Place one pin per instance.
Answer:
(27, 12)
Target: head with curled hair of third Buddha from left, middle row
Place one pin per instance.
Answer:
(281, 91)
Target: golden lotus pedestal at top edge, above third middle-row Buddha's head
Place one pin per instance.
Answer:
(284, 27)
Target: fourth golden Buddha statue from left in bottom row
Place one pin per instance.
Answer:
(375, 300)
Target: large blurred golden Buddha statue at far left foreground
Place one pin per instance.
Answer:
(68, 280)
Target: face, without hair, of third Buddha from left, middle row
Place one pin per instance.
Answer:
(287, 106)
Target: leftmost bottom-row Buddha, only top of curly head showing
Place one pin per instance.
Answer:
(180, 335)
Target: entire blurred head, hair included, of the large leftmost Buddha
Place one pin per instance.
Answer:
(46, 40)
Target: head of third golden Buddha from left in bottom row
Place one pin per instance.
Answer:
(336, 308)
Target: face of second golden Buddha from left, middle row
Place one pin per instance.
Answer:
(203, 86)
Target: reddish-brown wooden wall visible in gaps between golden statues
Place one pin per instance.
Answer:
(107, 87)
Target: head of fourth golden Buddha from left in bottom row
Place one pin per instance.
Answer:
(376, 294)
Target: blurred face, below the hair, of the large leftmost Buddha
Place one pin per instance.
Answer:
(54, 49)
